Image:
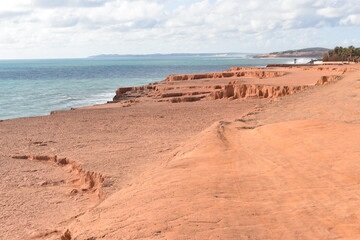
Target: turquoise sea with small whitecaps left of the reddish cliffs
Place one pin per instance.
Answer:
(36, 87)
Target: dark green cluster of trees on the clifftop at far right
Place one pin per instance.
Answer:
(350, 53)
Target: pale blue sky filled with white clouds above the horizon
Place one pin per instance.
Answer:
(81, 28)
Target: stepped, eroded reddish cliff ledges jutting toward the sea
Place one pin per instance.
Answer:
(237, 83)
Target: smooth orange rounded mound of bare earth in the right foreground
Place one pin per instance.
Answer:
(280, 181)
